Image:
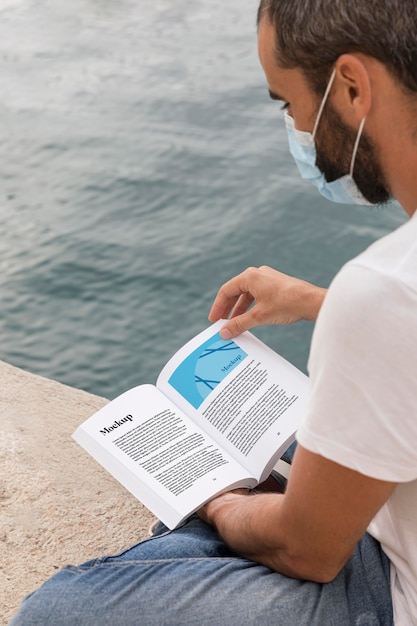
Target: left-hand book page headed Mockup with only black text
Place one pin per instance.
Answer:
(157, 453)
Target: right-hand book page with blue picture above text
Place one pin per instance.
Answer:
(241, 392)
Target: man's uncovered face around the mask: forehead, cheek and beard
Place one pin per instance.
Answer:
(334, 139)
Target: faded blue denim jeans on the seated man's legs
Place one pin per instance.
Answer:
(189, 577)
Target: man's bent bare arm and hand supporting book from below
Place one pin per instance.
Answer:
(311, 531)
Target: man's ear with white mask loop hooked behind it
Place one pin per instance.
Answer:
(352, 84)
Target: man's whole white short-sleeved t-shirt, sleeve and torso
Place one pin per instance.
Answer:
(363, 409)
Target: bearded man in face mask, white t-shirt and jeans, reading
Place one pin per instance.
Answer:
(347, 73)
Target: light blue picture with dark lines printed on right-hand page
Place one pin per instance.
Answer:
(205, 368)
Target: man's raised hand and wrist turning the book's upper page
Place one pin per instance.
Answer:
(279, 299)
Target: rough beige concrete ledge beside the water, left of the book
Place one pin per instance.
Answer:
(57, 505)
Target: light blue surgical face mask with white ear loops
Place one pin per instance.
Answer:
(303, 150)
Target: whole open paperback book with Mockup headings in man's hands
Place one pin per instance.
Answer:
(220, 416)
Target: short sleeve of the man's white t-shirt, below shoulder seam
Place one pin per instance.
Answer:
(363, 370)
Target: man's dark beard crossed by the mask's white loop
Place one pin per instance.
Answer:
(335, 152)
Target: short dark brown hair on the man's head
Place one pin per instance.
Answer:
(312, 34)
